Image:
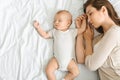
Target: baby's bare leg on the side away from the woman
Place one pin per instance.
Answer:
(50, 69)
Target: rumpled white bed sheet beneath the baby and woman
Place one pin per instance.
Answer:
(23, 53)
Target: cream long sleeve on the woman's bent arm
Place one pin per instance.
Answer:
(102, 50)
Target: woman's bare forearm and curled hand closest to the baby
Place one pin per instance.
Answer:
(81, 25)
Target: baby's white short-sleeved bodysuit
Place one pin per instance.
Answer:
(64, 43)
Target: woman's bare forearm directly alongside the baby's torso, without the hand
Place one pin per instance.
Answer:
(80, 49)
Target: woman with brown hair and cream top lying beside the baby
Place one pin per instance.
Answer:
(104, 56)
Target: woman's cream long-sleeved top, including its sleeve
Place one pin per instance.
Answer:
(106, 56)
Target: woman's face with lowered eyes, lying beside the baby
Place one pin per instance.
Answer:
(95, 17)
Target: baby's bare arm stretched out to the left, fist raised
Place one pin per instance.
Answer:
(40, 30)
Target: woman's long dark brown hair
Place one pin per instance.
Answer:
(98, 5)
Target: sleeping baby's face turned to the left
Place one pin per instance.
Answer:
(61, 21)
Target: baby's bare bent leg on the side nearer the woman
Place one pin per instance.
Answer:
(73, 70)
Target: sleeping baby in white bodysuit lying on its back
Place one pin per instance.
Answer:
(64, 45)
